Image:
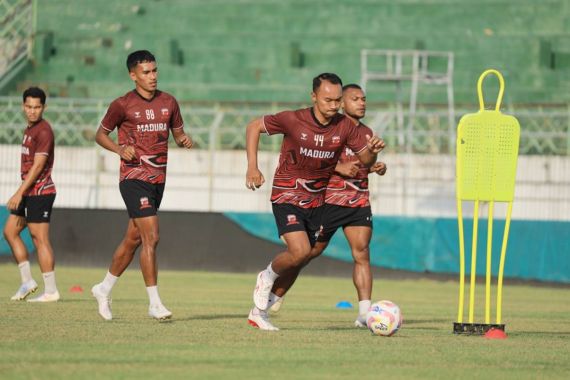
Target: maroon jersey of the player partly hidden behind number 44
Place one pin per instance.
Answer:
(350, 192)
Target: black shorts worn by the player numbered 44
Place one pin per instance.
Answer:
(291, 218)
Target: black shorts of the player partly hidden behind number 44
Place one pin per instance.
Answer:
(339, 216)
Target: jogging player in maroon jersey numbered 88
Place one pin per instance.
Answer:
(144, 118)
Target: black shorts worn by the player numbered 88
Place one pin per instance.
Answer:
(141, 198)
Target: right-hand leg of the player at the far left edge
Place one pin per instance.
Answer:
(40, 237)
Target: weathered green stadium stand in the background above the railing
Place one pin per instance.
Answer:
(239, 51)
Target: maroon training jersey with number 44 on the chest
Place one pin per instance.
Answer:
(309, 154)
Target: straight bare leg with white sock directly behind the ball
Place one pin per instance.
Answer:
(359, 240)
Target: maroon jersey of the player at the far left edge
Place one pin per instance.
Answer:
(38, 139)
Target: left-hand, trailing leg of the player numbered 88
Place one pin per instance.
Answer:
(122, 257)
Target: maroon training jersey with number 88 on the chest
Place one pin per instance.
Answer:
(145, 125)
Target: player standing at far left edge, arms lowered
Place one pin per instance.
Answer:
(32, 203)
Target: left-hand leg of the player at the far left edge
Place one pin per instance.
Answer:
(15, 224)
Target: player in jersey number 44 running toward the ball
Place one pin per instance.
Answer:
(313, 141)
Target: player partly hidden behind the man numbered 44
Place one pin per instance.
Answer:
(347, 205)
